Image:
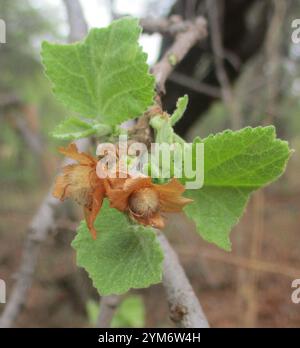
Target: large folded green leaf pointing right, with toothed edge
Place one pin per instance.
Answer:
(235, 164)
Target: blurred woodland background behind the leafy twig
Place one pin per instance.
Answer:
(251, 286)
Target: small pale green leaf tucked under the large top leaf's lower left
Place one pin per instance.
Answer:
(75, 128)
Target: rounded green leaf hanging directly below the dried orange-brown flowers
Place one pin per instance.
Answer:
(123, 256)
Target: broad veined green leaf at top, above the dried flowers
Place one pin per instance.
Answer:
(105, 76)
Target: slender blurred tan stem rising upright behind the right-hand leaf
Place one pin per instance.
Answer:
(273, 58)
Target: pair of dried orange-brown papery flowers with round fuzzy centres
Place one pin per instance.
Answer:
(139, 197)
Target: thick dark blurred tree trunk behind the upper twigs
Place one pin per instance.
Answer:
(243, 26)
